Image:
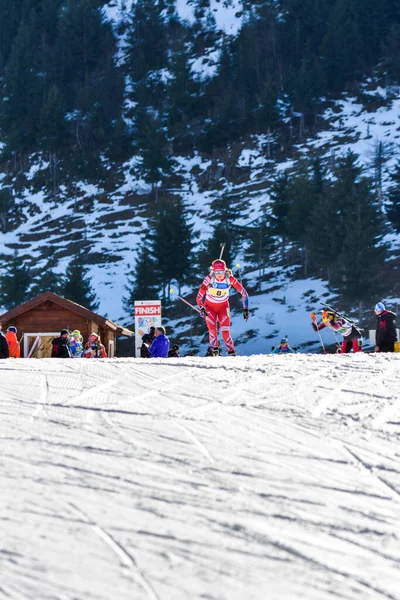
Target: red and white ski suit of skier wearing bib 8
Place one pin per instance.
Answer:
(217, 306)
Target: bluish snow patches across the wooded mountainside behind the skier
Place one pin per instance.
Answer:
(109, 217)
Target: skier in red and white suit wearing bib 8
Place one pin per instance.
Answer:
(213, 302)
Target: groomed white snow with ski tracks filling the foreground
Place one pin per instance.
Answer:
(247, 478)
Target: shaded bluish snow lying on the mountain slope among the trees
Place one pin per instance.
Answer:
(112, 217)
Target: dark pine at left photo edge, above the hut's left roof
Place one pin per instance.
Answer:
(15, 282)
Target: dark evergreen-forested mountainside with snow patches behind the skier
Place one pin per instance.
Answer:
(87, 97)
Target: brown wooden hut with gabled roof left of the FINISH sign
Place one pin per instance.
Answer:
(41, 319)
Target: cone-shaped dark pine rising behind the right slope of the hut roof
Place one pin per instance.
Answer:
(77, 286)
